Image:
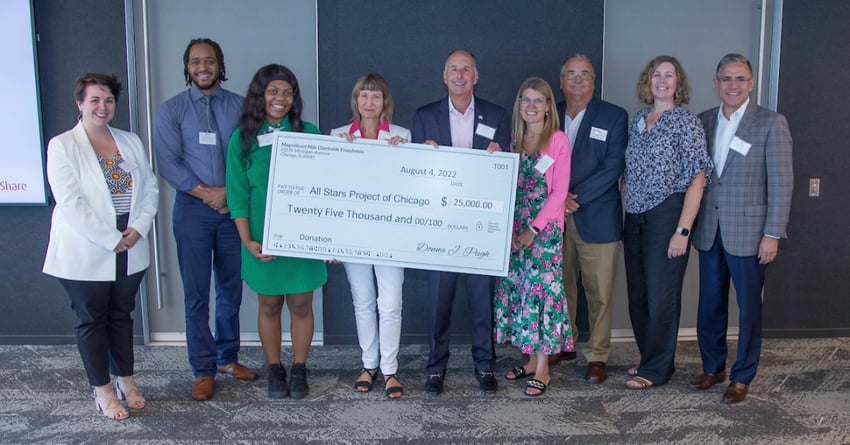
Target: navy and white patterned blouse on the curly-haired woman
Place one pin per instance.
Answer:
(663, 160)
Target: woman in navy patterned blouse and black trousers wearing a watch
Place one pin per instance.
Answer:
(666, 168)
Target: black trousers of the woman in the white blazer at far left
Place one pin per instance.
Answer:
(104, 326)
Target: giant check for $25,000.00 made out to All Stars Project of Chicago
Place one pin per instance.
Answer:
(412, 205)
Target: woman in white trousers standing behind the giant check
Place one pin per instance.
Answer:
(378, 316)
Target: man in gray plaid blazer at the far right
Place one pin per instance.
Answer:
(744, 213)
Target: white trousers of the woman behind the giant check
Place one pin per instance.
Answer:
(378, 316)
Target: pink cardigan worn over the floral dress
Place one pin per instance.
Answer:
(557, 181)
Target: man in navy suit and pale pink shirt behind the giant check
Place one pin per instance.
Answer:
(461, 120)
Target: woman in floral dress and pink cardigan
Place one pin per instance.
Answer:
(529, 302)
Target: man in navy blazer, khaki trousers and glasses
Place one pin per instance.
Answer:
(598, 133)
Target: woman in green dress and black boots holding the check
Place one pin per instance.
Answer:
(273, 102)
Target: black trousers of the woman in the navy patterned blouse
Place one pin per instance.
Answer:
(654, 284)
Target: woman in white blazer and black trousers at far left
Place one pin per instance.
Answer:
(106, 197)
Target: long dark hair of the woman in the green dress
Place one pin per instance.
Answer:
(254, 105)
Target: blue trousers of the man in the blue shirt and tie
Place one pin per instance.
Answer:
(207, 238)
